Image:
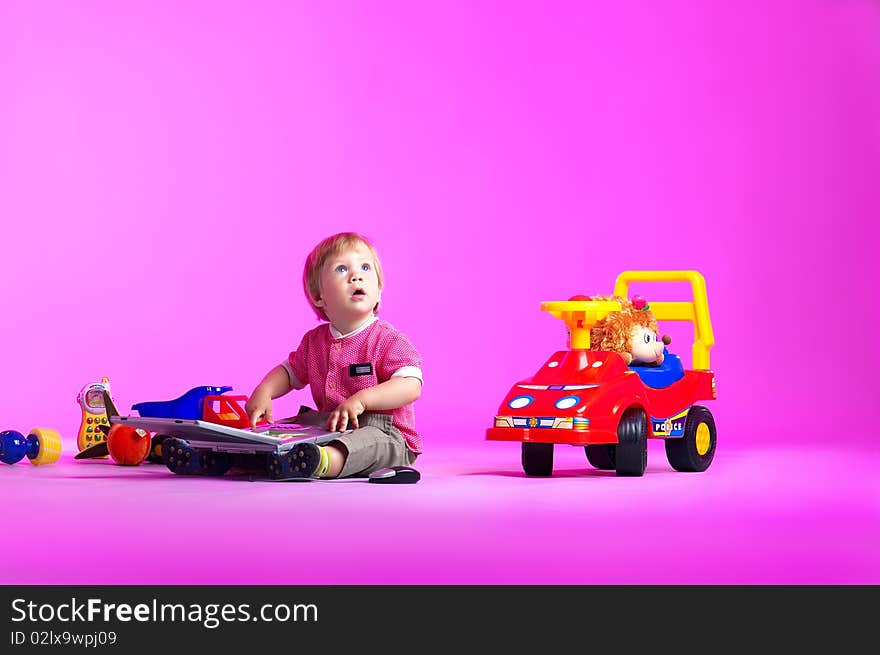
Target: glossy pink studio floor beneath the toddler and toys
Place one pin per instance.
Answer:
(778, 515)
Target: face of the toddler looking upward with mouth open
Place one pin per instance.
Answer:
(349, 285)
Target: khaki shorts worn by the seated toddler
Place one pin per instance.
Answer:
(375, 445)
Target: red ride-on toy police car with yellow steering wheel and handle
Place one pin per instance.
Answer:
(591, 398)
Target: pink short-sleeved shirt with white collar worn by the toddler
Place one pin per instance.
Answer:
(337, 366)
